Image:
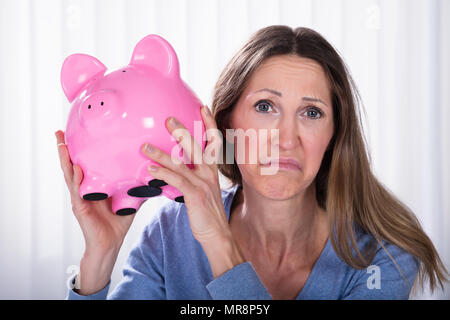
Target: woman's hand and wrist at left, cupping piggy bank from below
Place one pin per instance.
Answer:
(103, 230)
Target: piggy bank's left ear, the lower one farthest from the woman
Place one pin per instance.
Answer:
(77, 71)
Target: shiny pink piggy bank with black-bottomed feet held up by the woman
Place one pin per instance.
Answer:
(114, 114)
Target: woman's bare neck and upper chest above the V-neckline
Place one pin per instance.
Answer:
(277, 230)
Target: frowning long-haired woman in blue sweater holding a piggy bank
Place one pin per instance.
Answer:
(320, 227)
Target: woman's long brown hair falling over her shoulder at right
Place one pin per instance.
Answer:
(345, 185)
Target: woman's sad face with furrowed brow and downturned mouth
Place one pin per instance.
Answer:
(291, 94)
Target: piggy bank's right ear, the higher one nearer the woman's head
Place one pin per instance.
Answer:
(155, 52)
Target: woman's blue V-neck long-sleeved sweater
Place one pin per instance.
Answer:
(168, 263)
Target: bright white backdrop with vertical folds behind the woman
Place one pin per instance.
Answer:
(398, 52)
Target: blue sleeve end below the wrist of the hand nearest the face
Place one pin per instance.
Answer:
(239, 283)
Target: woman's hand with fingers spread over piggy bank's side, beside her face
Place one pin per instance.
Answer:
(201, 190)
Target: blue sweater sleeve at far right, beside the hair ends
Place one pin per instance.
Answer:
(383, 280)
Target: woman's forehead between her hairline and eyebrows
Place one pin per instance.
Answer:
(291, 74)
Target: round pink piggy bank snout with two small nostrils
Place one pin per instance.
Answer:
(98, 107)
